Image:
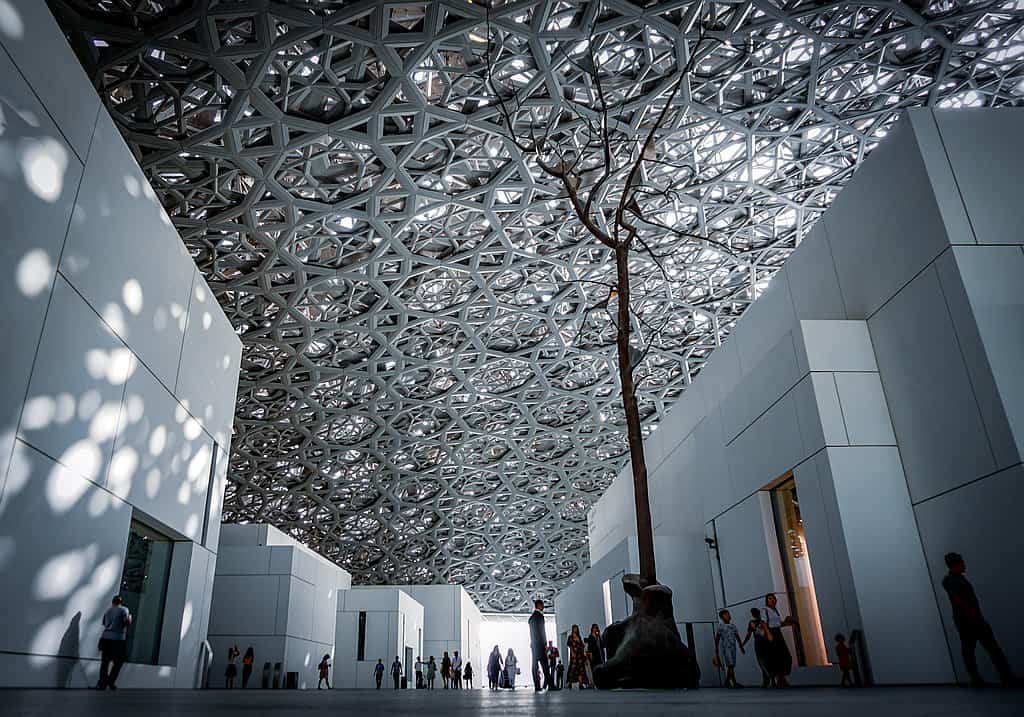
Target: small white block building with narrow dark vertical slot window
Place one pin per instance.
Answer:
(376, 623)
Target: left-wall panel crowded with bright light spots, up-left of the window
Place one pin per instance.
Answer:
(77, 386)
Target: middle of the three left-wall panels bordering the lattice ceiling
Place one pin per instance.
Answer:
(125, 258)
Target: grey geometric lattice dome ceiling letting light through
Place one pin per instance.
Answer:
(426, 394)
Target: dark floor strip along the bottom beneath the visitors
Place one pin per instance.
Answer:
(808, 702)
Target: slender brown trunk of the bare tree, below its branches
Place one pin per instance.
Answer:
(646, 531)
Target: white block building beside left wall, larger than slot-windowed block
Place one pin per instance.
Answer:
(278, 597)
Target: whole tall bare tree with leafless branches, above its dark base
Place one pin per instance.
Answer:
(605, 152)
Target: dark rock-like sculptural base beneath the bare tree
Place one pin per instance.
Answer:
(646, 650)
